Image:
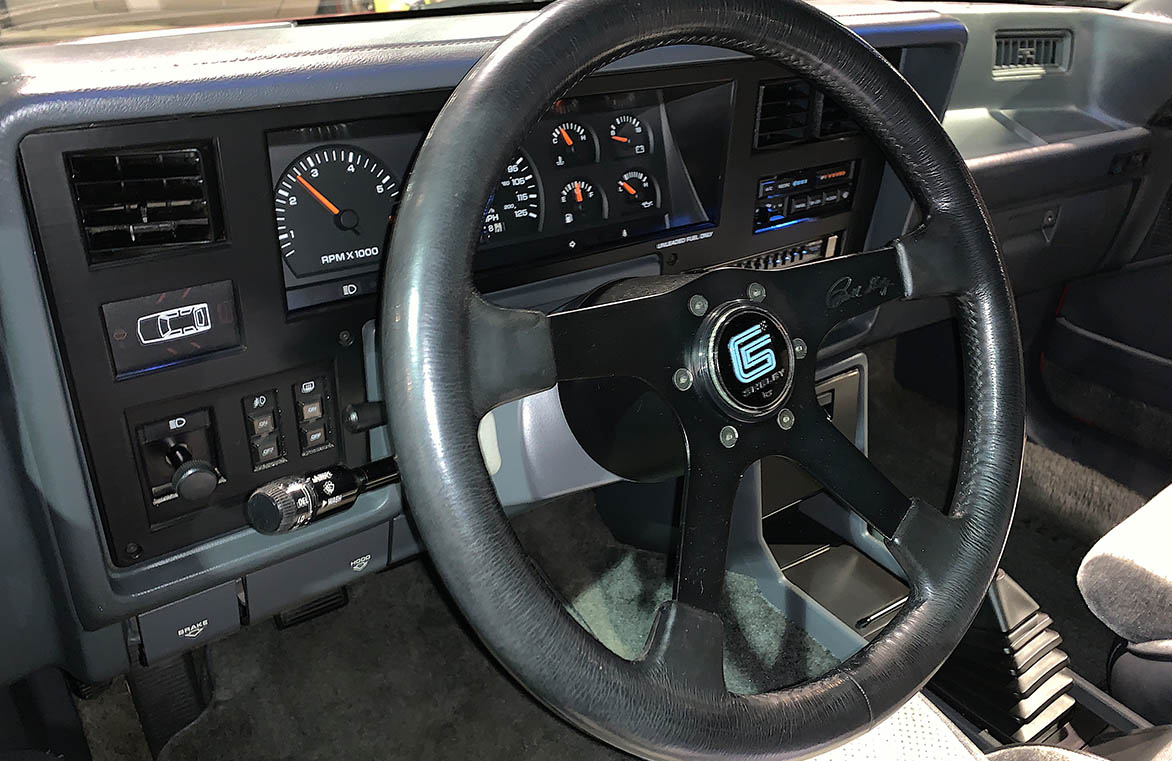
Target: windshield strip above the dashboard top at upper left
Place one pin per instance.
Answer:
(54, 21)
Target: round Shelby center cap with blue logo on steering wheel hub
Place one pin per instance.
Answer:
(747, 359)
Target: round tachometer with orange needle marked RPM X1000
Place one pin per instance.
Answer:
(333, 207)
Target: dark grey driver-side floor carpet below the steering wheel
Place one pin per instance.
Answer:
(398, 675)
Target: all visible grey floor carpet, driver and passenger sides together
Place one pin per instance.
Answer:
(398, 675)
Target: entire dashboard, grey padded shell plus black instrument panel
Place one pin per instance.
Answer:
(163, 307)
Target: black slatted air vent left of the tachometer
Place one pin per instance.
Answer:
(134, 201)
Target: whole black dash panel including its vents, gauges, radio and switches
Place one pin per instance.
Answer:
(213, 275)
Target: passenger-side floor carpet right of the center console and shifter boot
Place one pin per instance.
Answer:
(1064, 507)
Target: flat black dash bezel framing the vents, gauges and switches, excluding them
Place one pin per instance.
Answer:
(275, 344)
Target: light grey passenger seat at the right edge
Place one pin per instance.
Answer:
(1127, 581)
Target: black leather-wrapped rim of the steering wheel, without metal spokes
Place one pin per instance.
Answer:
(448, 357)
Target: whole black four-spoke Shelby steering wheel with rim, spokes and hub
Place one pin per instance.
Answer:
(449, 357)
